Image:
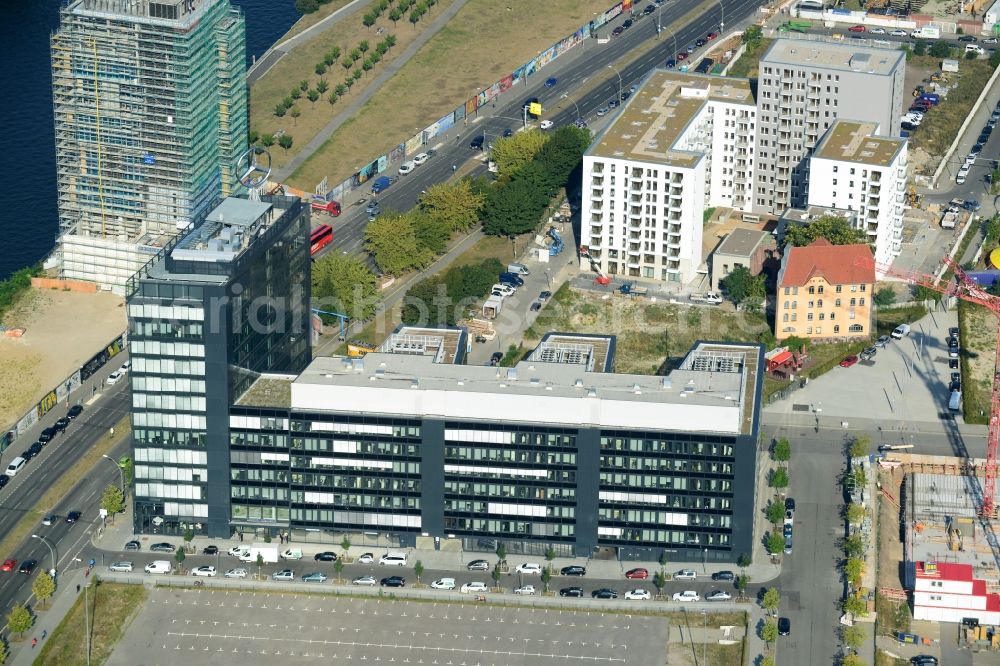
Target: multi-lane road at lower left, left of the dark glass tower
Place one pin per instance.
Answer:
(58, 458)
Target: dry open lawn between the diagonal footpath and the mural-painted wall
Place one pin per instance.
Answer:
(482, 43)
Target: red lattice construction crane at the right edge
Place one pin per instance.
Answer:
(966, 289)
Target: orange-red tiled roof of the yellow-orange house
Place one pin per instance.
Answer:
(839, 264)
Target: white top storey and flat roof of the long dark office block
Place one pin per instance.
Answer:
(714, 391)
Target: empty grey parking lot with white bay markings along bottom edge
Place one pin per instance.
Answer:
(253, 628)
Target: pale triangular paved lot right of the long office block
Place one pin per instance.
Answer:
(906, 381)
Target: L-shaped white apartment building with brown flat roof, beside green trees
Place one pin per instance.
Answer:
(683, 142)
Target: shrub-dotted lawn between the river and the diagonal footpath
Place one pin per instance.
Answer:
(300, 65)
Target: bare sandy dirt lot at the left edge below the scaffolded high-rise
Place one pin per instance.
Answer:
(63, 329)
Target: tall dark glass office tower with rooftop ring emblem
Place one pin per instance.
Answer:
(223, 304)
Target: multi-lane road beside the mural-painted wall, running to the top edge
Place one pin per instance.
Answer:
(591, 61)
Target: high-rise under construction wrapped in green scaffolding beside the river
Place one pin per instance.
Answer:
(150, 108)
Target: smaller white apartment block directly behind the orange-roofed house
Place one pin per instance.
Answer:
(851, 169)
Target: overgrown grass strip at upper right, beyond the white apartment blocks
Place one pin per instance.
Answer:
(941, 124)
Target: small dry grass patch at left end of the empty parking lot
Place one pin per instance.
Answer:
(112, 608)
